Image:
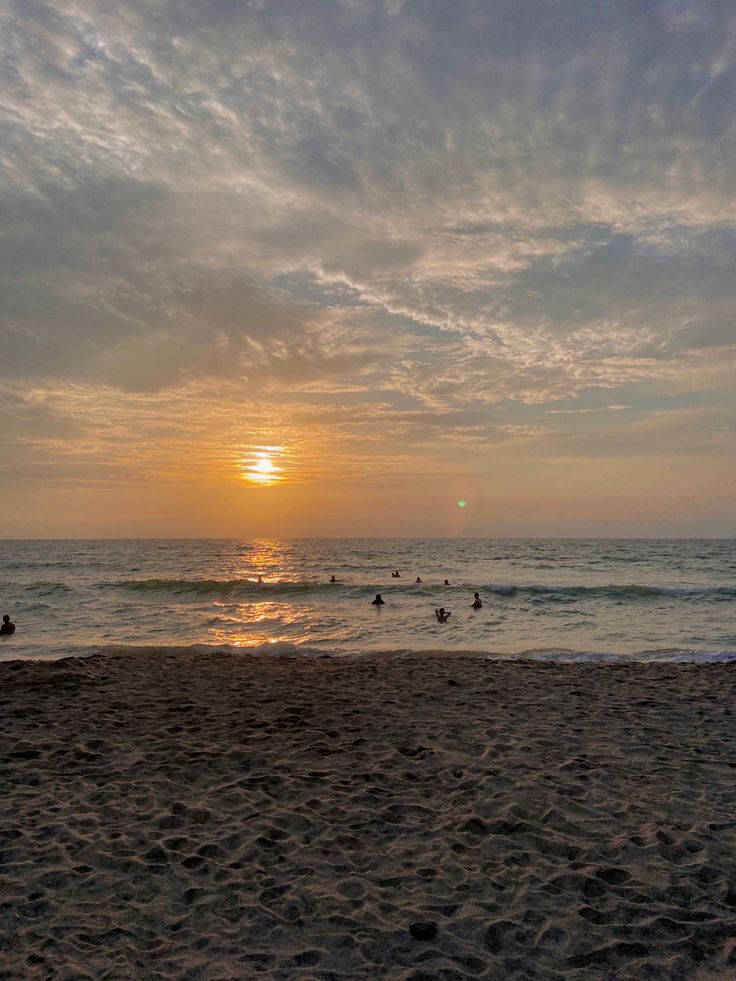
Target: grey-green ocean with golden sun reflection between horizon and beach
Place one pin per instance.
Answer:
(558, 600)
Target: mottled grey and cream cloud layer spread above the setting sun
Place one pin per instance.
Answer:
(441, 209)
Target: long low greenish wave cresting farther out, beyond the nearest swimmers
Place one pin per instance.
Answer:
(249, 589)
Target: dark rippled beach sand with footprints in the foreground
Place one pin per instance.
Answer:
(179, 816)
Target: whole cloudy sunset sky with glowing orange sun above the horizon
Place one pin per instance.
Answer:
(328, 267)
